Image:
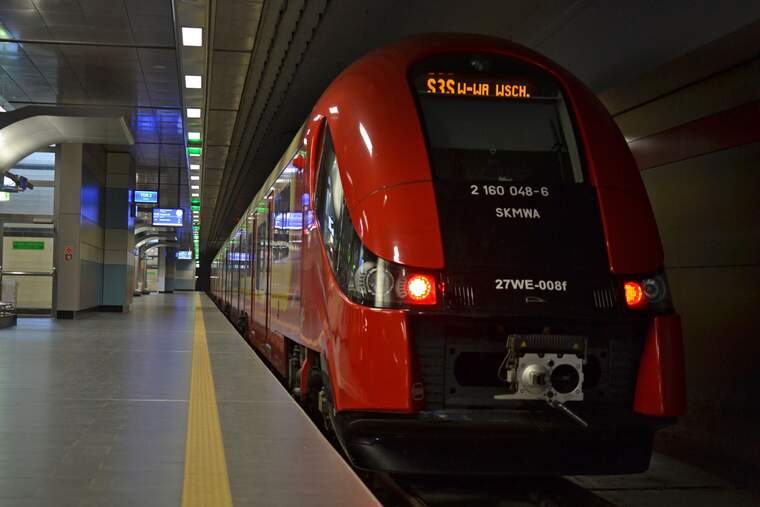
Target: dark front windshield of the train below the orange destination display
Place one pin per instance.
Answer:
(492, 139)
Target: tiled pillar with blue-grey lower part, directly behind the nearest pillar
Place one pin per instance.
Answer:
(119, 257)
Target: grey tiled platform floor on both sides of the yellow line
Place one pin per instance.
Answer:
(94, 412)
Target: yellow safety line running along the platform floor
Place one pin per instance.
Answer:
(206, 481)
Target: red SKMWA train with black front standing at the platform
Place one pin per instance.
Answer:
(456, 263)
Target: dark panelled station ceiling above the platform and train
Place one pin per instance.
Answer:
(265, 63)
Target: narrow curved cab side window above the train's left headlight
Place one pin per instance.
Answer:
(329, 202)
